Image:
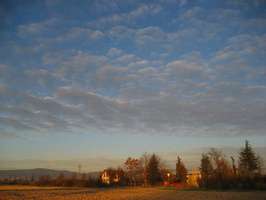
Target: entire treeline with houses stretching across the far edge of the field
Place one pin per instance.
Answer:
(216, 171)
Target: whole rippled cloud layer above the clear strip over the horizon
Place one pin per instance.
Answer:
(134, 67)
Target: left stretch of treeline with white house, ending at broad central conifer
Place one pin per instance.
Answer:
(146, 170)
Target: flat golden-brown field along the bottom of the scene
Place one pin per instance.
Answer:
(45, 193)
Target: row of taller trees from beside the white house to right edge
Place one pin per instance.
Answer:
(216, 171)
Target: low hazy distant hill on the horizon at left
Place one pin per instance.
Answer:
(36, 173)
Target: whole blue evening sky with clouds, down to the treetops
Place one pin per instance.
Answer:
(93, 82)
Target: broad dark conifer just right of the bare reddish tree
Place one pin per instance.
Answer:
(153, 171)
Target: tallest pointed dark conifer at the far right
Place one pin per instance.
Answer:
(248, 161)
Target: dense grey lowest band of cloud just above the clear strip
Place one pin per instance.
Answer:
(207, 114)
